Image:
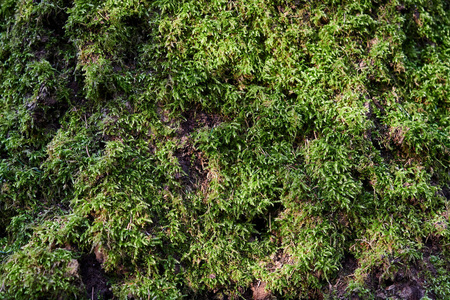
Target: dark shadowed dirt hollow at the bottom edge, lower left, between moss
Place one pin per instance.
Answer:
(94, 278)
